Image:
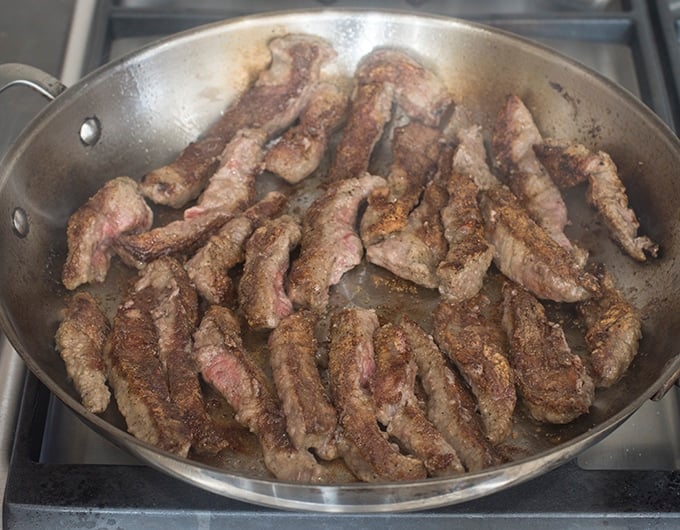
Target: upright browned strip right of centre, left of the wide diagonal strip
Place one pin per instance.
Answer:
(461, 272)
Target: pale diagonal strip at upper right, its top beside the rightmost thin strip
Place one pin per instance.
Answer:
(514, 136)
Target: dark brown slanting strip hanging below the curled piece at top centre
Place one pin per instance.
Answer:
(370, 110)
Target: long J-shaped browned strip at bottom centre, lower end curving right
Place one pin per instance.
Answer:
(351, 366)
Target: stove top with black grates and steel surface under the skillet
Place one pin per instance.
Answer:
(62, 474)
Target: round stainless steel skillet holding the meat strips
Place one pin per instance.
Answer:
(138, 112)
